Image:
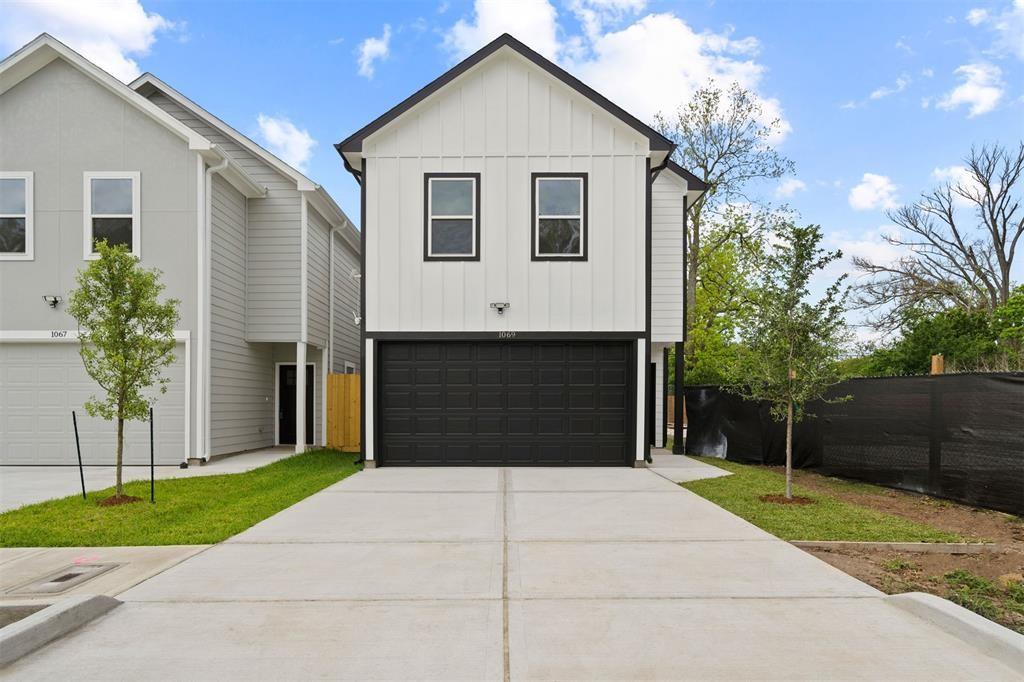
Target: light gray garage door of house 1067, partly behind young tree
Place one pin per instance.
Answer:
(42, 383)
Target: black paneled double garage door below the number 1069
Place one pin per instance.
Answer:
(505, 403)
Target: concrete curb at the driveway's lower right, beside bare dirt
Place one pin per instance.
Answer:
(993, 640)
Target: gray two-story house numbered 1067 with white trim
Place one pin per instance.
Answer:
(266, 265)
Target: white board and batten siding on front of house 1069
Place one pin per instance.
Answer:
(505, 119)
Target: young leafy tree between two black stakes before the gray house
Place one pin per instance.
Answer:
(126, 337)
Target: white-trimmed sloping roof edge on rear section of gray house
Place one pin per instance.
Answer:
(322, 201)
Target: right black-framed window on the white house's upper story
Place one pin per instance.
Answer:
(560, 206)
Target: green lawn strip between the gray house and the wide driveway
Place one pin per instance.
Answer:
(189, 511)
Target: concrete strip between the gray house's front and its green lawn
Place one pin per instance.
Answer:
(26, 486)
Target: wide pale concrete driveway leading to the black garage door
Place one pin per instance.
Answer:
(515, 574)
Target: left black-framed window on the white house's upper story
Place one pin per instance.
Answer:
(452, 217)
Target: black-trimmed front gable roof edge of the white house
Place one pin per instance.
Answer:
(354, 144)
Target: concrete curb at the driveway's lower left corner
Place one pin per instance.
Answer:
(56, 621)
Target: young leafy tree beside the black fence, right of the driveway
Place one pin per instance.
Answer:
(793, 345)
